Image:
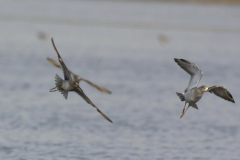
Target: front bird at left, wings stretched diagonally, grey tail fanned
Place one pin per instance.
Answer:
(68, 84)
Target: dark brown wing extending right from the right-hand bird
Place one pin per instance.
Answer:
(221, 92)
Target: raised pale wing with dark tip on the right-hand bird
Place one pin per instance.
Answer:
(192, 69)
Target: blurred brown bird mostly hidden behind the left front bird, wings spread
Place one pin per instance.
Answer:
(78, 78)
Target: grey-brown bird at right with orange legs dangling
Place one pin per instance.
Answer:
(192, 93)
